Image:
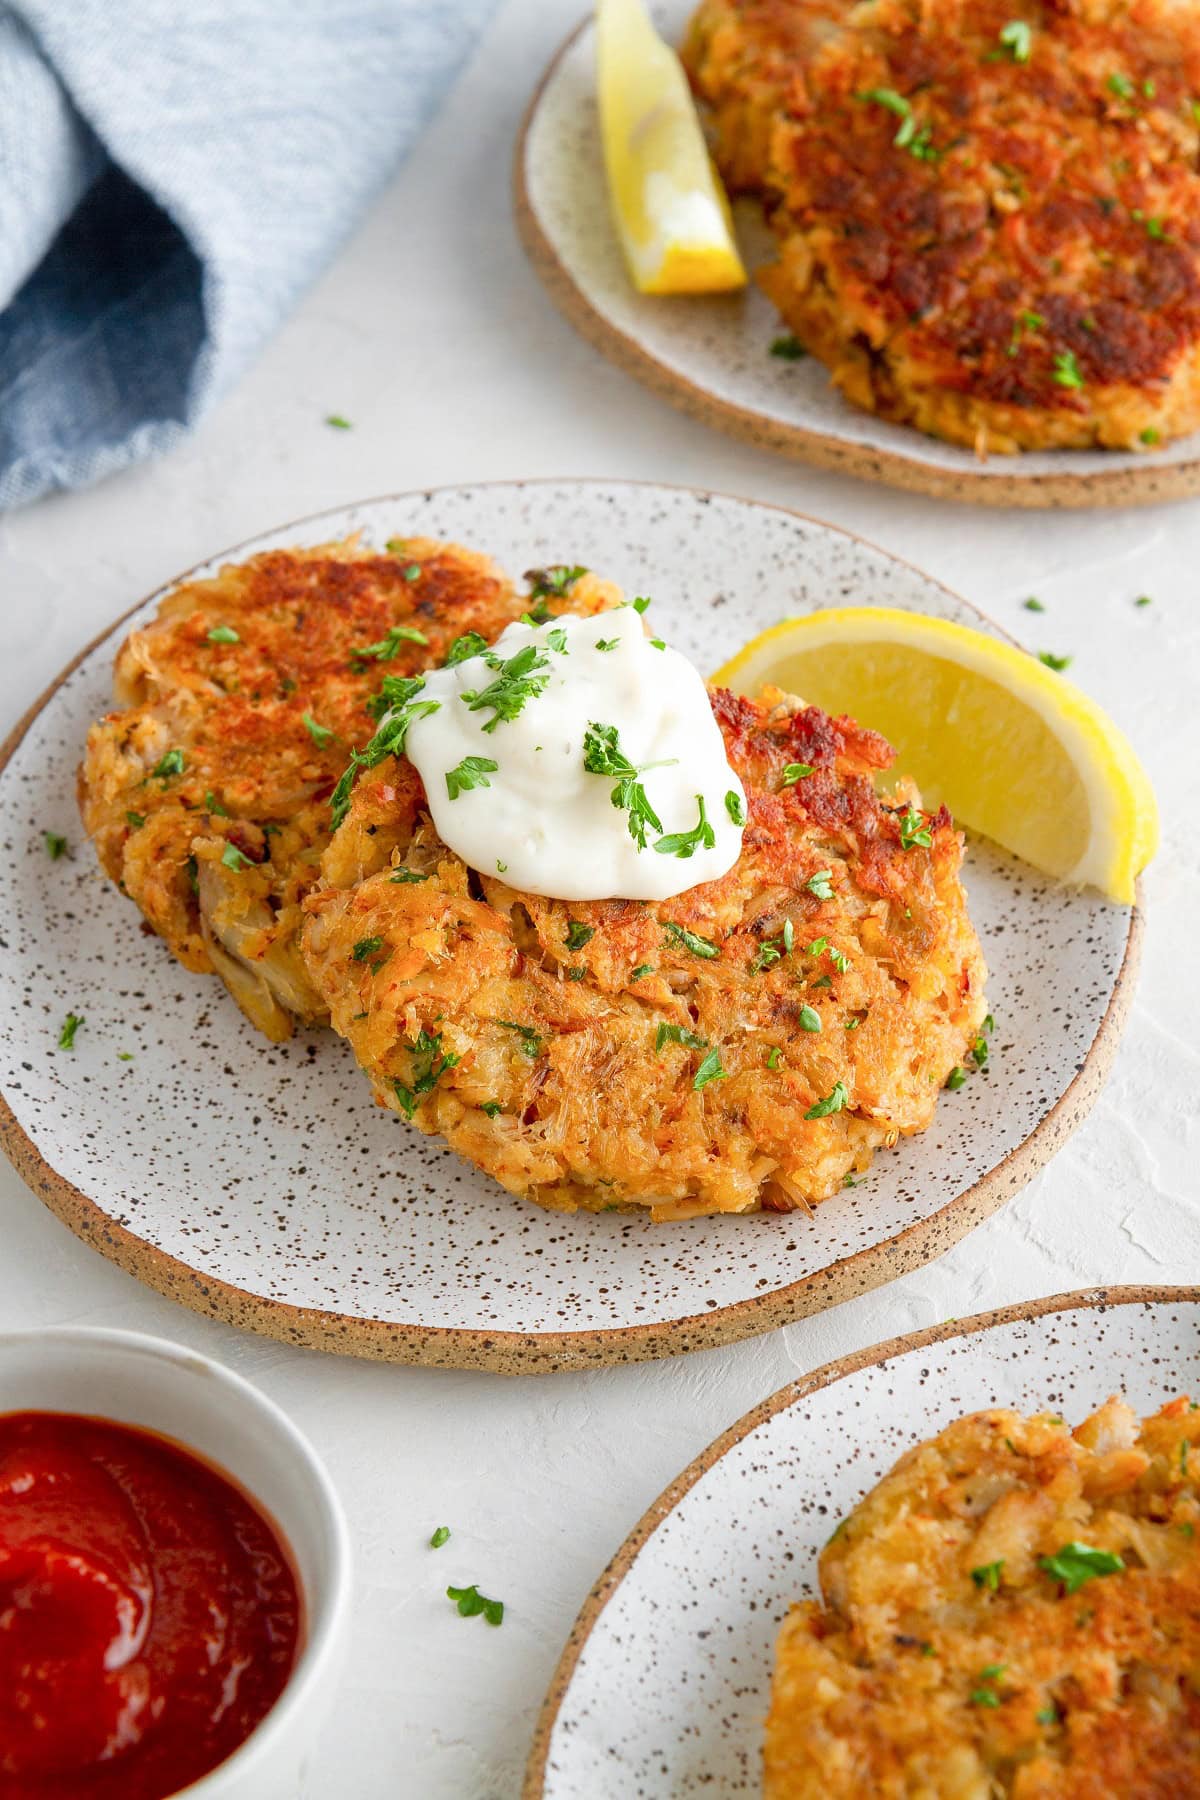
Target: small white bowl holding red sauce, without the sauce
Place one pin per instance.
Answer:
(163, 1387)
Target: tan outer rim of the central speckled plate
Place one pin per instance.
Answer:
(512, 1353)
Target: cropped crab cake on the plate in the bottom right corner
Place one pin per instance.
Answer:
(1012, 1612)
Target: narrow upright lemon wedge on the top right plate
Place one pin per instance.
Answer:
(668, 201)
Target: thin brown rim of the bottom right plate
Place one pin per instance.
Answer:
(620, 1565)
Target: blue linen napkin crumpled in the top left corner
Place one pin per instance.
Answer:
(174, 174)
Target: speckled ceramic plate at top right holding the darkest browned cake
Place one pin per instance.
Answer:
(713, 357)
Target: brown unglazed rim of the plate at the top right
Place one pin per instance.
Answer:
(1143, 485)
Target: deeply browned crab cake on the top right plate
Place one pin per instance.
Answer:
(989, 224)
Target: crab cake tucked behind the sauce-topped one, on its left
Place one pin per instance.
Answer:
(208, 789)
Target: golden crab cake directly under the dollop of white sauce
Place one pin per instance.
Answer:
(740, 1047)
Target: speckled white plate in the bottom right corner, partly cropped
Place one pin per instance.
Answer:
(665, 1682)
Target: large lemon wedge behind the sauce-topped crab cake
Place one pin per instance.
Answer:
(1014, 748)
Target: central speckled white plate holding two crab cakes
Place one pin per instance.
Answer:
(260, 1183)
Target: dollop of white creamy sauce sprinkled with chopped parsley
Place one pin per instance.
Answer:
(546, 822)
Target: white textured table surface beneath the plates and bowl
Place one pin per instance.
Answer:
(434, 339)
